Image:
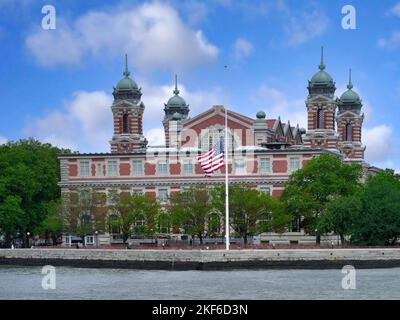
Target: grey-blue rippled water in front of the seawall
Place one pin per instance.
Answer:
(81, 283)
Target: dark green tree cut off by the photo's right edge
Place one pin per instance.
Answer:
(379, 222)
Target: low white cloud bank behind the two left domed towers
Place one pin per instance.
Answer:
(84, 123)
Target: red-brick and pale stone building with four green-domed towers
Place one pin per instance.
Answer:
(262, 152)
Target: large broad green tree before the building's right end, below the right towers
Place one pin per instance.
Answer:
(310, 189)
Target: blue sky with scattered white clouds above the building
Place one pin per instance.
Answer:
(56, 85)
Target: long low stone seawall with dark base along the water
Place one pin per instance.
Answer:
(204, 259)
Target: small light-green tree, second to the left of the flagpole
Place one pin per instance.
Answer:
(134, 215)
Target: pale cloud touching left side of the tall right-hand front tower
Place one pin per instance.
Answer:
(275, 103)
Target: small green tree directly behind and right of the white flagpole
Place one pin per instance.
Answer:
(251, 211)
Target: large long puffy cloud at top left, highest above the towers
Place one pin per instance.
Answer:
(152, 33)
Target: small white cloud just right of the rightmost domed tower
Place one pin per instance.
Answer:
(378, 141)
